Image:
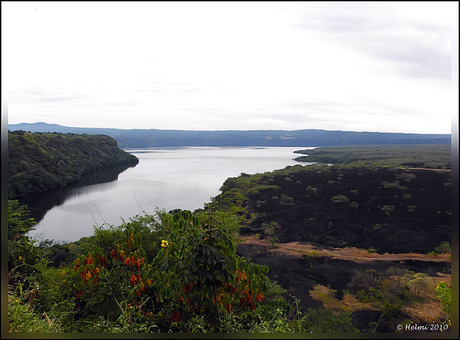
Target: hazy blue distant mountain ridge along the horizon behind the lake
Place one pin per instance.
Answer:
(138, 138)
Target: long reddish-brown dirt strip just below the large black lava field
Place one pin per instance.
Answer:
(348, 253)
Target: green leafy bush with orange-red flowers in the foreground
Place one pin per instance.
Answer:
(195, 272)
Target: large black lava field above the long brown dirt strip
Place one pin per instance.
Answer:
(390, 210)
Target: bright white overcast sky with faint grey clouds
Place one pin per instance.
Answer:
(376, 66)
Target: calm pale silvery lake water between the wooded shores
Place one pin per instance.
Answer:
(166, 178)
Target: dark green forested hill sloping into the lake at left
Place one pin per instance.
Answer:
(42, 161)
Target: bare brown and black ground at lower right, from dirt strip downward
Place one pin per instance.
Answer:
(318, 276)
